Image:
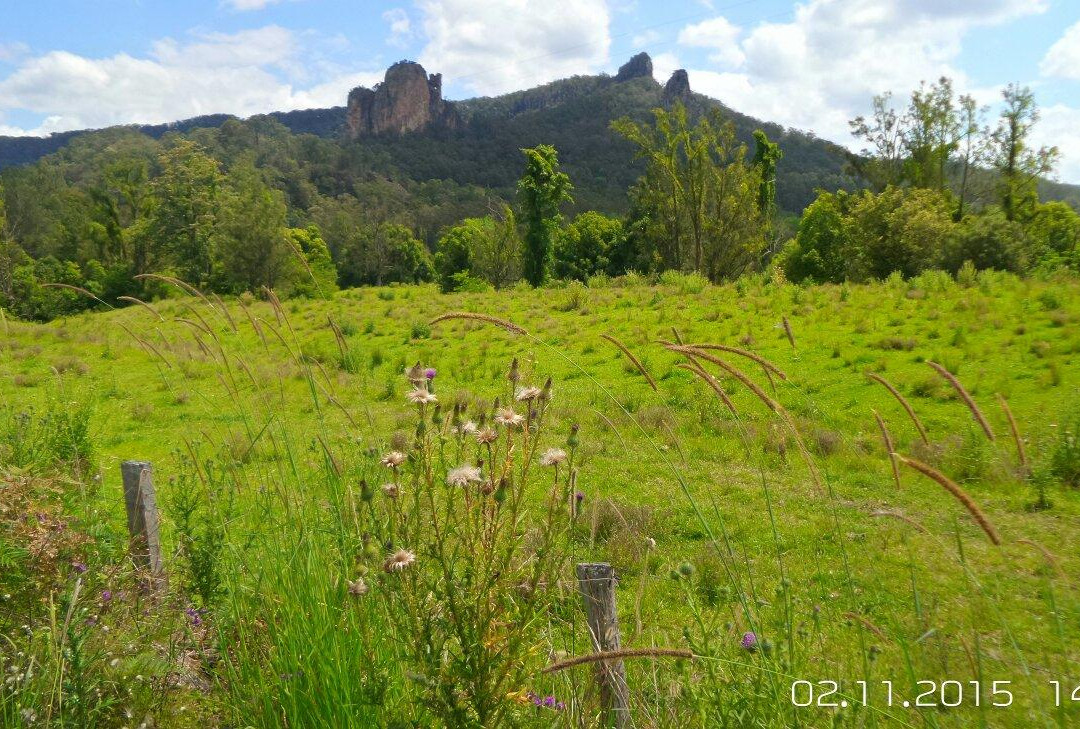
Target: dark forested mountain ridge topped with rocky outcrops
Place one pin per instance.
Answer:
(463, 140)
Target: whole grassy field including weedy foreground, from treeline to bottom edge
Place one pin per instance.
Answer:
(262, 423)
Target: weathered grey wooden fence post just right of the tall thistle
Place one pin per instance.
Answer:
(597, 582)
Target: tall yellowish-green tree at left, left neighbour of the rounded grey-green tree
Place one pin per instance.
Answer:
(186, 196)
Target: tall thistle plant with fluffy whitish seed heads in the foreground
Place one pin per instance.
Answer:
(471, 526)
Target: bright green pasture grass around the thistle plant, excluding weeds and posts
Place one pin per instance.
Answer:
(832, 578)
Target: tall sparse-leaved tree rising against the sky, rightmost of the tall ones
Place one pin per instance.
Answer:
(1018, 165)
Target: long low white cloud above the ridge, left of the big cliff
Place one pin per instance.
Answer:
(252, 72)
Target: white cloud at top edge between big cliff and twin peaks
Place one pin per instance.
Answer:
(499, 46)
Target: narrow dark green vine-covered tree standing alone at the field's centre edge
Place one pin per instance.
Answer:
(542, 191)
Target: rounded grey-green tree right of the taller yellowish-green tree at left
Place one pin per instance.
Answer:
(251, 232)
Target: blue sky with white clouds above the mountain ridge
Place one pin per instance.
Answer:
(811, 65)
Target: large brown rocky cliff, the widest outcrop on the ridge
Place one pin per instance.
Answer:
(408, 101)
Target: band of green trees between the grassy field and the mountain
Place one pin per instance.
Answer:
(249, 206)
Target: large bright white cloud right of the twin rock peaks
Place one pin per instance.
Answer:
(822, 69)
